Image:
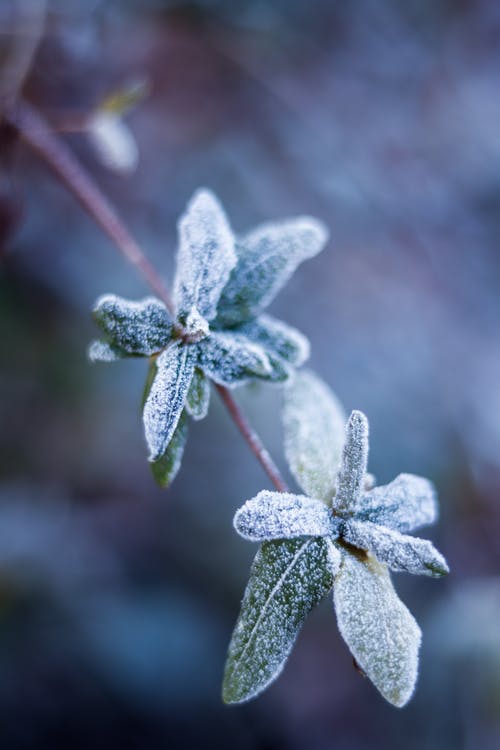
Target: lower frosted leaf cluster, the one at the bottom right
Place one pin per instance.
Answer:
(343, 534)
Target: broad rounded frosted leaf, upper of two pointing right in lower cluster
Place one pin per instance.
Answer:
(407, 503)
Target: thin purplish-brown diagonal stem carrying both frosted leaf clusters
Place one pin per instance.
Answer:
(39, 137)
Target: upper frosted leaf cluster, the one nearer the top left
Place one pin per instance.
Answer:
(222, 285)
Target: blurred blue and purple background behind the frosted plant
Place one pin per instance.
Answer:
(117, 599)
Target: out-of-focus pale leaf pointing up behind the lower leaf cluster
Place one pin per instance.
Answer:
(313, 422)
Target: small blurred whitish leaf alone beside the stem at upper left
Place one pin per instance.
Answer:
(113, 142)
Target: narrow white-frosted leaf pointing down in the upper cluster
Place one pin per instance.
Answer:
(167, 396)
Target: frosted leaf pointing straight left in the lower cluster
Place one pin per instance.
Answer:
(279, 515)
